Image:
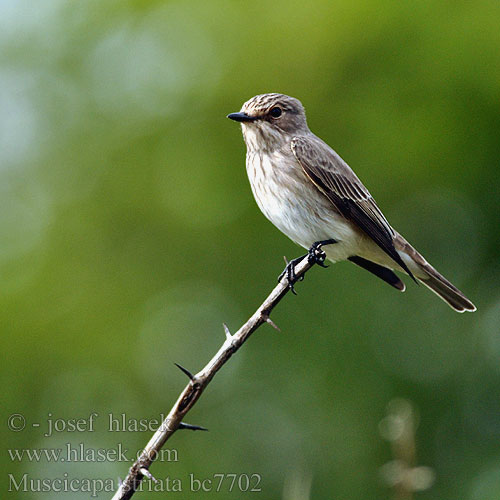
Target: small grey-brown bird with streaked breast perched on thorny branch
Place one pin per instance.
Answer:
(311, 195)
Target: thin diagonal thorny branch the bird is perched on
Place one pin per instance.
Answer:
(199, 381)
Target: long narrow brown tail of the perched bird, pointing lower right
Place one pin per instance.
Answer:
(433, 280)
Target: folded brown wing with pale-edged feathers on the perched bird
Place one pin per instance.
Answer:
(335, 179)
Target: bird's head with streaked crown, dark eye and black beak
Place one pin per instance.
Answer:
(270, 119)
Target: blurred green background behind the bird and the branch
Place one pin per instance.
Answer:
(128, 234)
